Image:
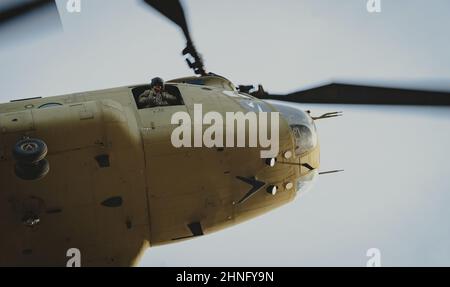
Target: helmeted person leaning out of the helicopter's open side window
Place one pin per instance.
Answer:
(155, 96)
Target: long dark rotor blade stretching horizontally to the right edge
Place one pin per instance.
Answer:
(362, 95)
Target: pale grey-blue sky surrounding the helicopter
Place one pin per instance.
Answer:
(394, 193)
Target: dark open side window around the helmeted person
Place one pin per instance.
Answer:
(171, 97)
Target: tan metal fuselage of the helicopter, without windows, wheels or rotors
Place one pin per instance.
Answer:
(163, 190)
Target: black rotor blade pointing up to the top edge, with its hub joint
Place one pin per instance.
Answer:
(173, 10)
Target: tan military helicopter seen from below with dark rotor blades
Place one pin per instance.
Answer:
(97, 172)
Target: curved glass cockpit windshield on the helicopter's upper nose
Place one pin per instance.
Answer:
(302, 126)
